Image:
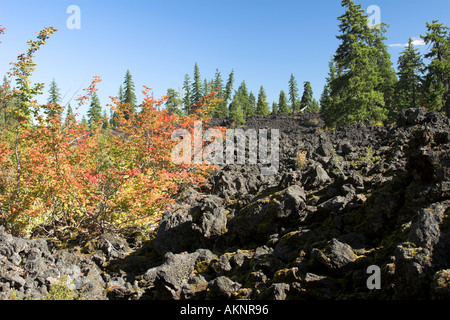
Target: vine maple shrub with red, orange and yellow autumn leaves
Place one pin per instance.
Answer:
(55, 172)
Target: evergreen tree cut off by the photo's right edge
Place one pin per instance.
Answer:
(437, 78)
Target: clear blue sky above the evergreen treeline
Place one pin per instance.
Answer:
(159, 41)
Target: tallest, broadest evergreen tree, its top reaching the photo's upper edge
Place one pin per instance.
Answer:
(355, 94)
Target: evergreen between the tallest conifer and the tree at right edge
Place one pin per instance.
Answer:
(407, 90)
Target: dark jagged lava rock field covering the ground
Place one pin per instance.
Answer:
(342, 201)
